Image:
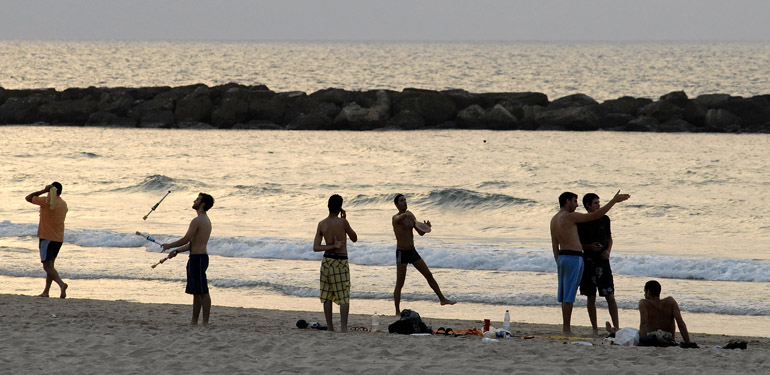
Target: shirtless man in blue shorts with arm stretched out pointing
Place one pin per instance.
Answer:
(567, 249)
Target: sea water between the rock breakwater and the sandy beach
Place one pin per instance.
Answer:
(695, 219)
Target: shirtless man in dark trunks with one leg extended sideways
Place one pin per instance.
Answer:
(403, 224)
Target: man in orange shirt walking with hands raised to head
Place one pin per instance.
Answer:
(50, 232)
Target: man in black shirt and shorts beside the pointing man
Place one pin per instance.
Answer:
(596, 238)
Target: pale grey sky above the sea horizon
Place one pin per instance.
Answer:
(394, 20)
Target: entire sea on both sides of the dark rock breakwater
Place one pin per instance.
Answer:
(696, 219)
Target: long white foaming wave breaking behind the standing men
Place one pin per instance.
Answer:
(438, 255)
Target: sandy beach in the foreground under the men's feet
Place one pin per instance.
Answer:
(81, 336)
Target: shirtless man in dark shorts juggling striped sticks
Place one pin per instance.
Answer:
(195, 241)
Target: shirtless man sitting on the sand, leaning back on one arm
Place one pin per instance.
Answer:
(659, 314)
